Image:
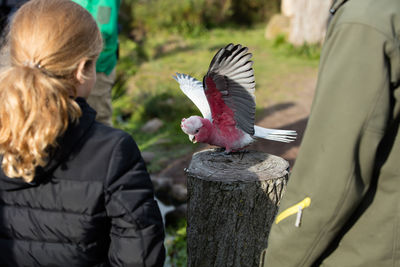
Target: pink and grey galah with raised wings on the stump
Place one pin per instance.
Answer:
(226, 101)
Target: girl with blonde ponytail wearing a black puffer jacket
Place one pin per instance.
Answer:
(73, 192)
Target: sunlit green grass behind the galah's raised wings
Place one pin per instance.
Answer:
(146, 88)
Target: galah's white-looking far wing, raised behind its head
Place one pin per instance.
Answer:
(193, 89)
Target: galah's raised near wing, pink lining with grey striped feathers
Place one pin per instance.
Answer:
(230, 86)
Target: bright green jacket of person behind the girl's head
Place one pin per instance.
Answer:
(106, 14)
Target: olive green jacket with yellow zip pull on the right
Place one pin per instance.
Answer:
(346, 179)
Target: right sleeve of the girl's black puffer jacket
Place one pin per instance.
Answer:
(137, 231)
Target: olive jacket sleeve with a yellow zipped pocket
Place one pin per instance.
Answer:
(334, 168)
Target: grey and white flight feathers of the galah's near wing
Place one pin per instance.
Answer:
(232, 72)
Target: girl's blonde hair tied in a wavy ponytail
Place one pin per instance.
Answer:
(47, 40)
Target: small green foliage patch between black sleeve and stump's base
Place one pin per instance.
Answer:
(176, 245)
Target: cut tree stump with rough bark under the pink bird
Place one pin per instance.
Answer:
(232, 203)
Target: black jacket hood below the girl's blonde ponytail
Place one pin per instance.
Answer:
(66, 144)
